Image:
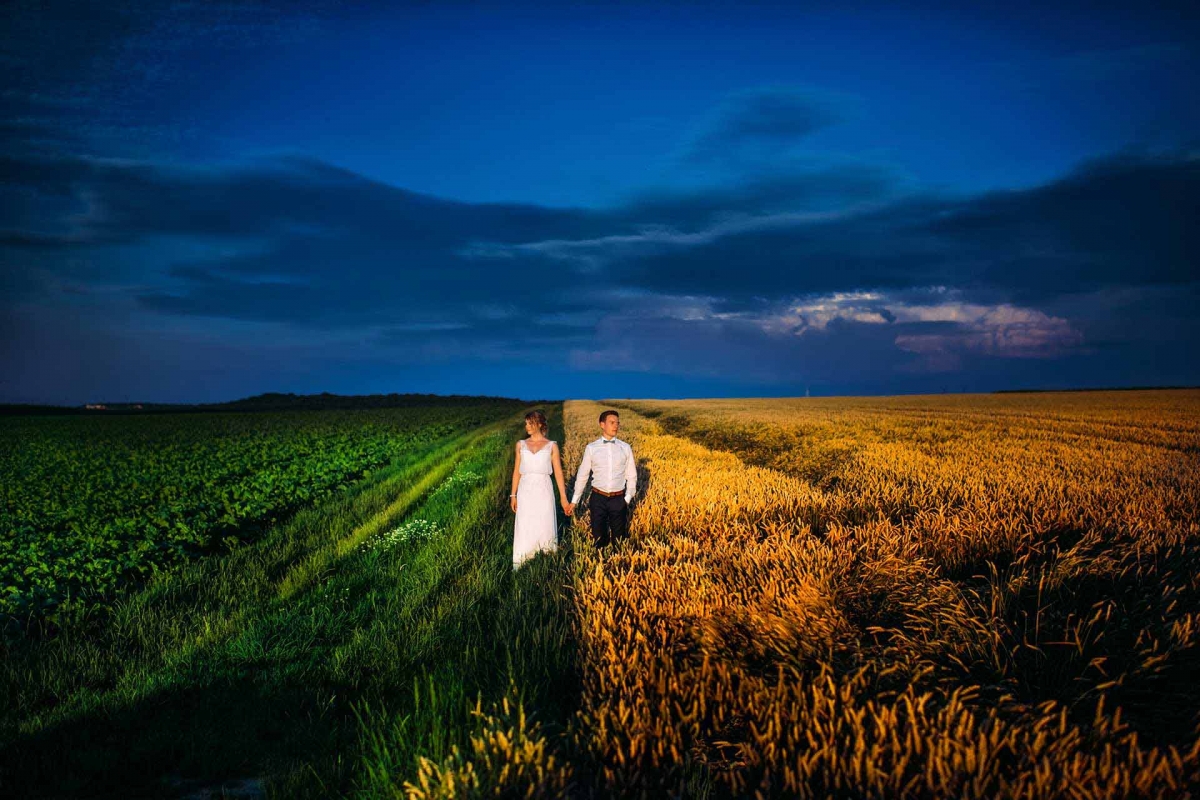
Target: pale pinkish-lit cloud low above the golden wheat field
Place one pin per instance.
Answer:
(935, 326)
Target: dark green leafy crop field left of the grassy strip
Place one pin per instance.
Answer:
(93, 503)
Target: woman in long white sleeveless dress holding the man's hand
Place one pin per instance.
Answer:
(533, 497)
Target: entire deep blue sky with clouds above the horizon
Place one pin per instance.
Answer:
(201, 202)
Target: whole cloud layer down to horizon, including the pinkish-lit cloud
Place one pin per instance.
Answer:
(737, 285)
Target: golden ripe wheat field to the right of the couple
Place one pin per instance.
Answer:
(968, 597)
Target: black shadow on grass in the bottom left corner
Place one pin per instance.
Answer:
(237, 730)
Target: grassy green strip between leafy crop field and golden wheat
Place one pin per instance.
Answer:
(310, 659)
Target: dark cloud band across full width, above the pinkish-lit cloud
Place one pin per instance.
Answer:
(341, 250)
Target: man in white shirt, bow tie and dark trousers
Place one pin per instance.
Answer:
(610, 462)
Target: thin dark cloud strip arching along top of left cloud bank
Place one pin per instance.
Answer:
(135, 200)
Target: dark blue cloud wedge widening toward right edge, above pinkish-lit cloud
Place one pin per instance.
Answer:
(1126, 220)
